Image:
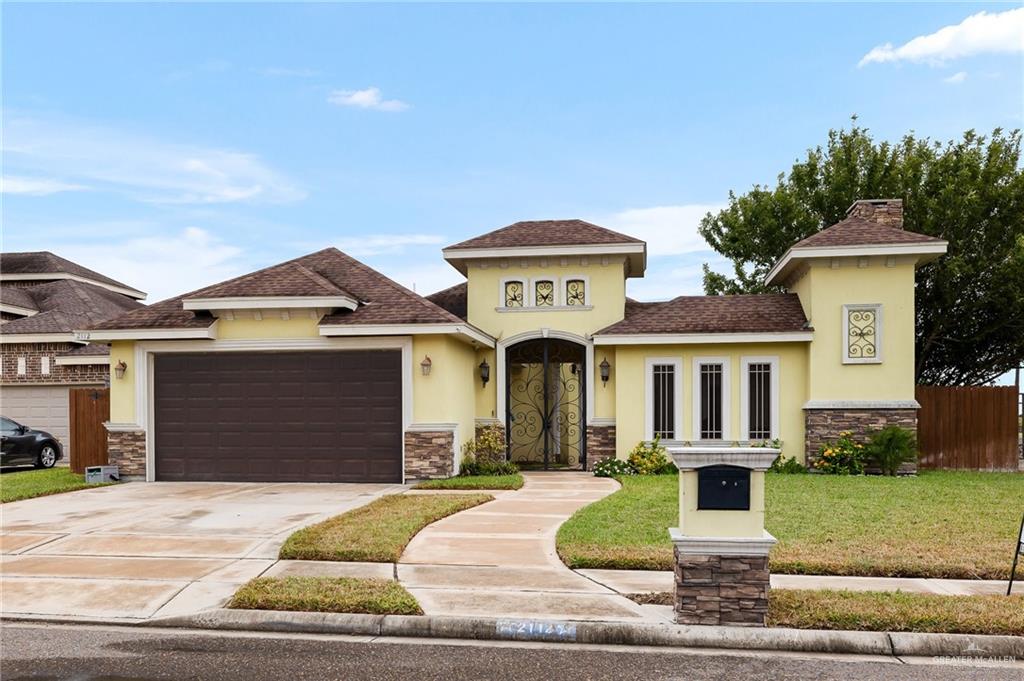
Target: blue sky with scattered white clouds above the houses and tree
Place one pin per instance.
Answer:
(177, 146)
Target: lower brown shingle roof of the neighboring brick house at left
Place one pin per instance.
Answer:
(66, 306)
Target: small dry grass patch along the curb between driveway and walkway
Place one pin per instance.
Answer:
(326, 594)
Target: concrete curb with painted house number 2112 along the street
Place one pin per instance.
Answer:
(609, 633)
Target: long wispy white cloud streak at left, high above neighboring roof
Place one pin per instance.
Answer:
(147, 168)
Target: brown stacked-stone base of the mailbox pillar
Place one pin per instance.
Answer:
(721, 590)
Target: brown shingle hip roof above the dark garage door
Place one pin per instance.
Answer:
(381, 301)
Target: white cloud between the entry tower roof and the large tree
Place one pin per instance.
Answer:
(668, 230)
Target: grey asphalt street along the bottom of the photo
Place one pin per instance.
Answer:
(84, 653)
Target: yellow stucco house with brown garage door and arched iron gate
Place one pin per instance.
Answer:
(322, 369)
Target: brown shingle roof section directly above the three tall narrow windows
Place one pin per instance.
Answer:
(714, 315)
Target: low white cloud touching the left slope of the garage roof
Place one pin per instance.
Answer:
(163, 266)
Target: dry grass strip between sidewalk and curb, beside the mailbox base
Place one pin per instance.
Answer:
(888, 612)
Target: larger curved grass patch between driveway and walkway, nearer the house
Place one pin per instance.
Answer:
(377, 532)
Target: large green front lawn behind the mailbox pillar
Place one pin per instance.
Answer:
(940, 525)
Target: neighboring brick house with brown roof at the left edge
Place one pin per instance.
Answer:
(44, 300)
